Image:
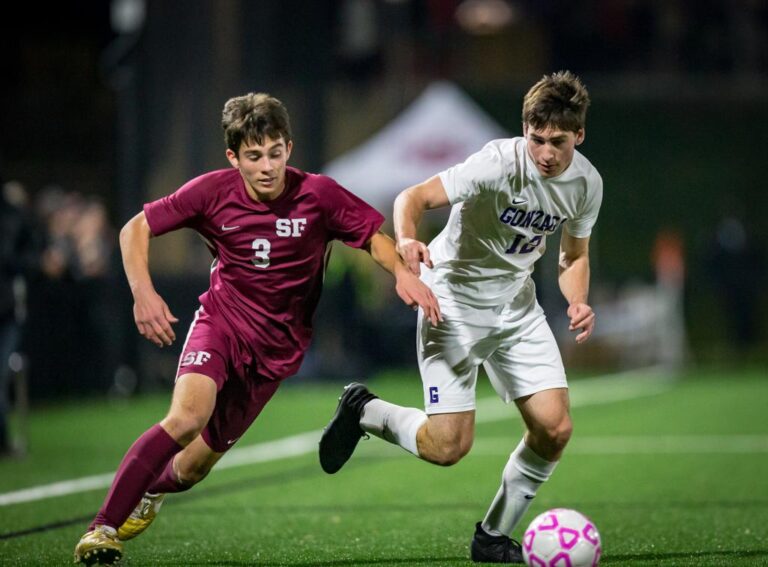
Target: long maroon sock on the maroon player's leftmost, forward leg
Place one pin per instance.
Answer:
(143, 462)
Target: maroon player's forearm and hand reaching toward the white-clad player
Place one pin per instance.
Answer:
(408, 286)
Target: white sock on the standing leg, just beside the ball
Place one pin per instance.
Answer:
(523, 475)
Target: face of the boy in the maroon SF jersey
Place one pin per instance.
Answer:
(262, 166)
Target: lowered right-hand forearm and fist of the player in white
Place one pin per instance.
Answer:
(574, 283)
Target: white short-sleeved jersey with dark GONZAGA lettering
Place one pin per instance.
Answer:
(503, 210)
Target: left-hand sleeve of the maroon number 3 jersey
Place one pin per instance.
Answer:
(179, 209)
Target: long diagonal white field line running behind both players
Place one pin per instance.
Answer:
(598, 390)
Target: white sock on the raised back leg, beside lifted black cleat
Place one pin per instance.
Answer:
(392, 423)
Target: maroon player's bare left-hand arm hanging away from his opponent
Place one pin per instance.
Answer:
(152, 315)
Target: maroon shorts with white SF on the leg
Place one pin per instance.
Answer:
(241, 393)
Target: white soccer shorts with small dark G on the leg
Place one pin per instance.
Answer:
(513, 342)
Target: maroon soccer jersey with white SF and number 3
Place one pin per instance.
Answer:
(270, 256)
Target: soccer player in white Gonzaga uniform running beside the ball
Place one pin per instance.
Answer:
(506, 199)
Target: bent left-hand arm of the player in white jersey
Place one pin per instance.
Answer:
(409, 208)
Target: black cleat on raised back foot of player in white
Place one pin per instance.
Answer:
(343, 432)
